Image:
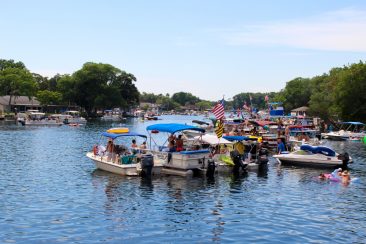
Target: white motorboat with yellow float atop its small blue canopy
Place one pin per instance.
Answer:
(124, 161)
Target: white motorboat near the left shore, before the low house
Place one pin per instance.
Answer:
(33, 117)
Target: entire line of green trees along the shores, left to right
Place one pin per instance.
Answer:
(338, 94)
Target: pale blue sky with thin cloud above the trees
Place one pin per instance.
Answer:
(210, 48)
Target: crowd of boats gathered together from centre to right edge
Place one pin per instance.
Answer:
(187, 149)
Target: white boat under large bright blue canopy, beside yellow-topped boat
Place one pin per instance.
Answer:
(192, 158)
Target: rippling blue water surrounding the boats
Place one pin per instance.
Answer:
(50, 192)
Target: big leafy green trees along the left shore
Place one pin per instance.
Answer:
(95, 86)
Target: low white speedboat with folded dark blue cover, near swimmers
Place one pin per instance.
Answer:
(316, 156)
